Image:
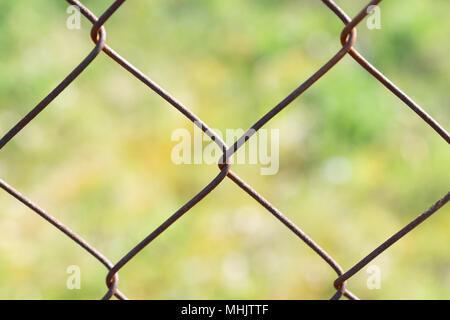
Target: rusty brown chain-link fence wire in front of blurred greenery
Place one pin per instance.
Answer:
(348, 38)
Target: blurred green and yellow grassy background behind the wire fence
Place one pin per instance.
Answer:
(99, 158)
